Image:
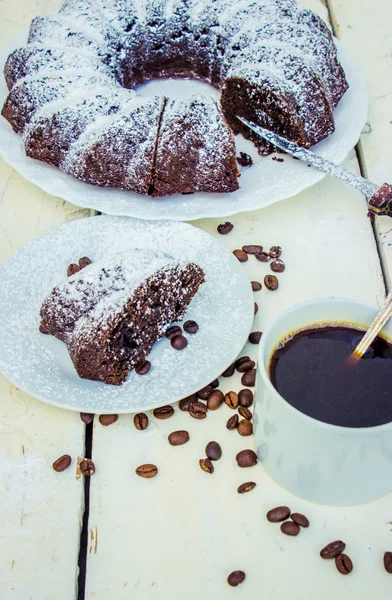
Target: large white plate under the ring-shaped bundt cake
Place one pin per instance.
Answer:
(266, 182)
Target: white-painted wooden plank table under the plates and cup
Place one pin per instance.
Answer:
(180, 534)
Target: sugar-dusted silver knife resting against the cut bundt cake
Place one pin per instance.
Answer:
(379, 198)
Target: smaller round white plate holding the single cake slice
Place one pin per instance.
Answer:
(40, 365)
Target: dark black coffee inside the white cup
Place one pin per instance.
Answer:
(312, 372)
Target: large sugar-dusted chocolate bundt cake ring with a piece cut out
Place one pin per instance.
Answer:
(72, 98)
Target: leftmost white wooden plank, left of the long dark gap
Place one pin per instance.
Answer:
(41, 509)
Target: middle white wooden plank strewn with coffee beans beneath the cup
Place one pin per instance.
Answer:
(179, 535)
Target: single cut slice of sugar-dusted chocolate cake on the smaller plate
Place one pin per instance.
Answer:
(112, 312)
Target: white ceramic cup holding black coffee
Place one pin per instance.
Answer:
(324, 463)
